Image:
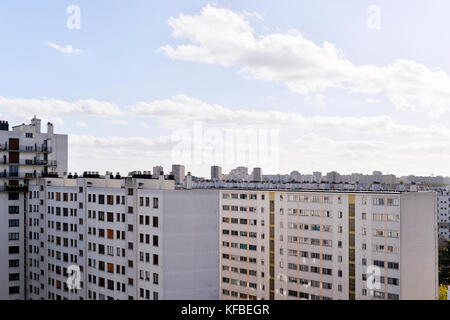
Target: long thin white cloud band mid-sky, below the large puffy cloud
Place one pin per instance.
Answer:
(182, 110)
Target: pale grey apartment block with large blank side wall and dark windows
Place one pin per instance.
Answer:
(135, 237)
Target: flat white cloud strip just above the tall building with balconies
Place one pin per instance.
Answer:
(48, 107)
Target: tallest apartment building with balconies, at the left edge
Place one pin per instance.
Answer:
(25, 154)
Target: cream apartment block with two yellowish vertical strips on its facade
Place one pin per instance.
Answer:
(319, 245)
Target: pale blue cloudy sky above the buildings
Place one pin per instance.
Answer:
(323, 85)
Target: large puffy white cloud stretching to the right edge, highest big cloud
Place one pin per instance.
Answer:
(221, 36)
